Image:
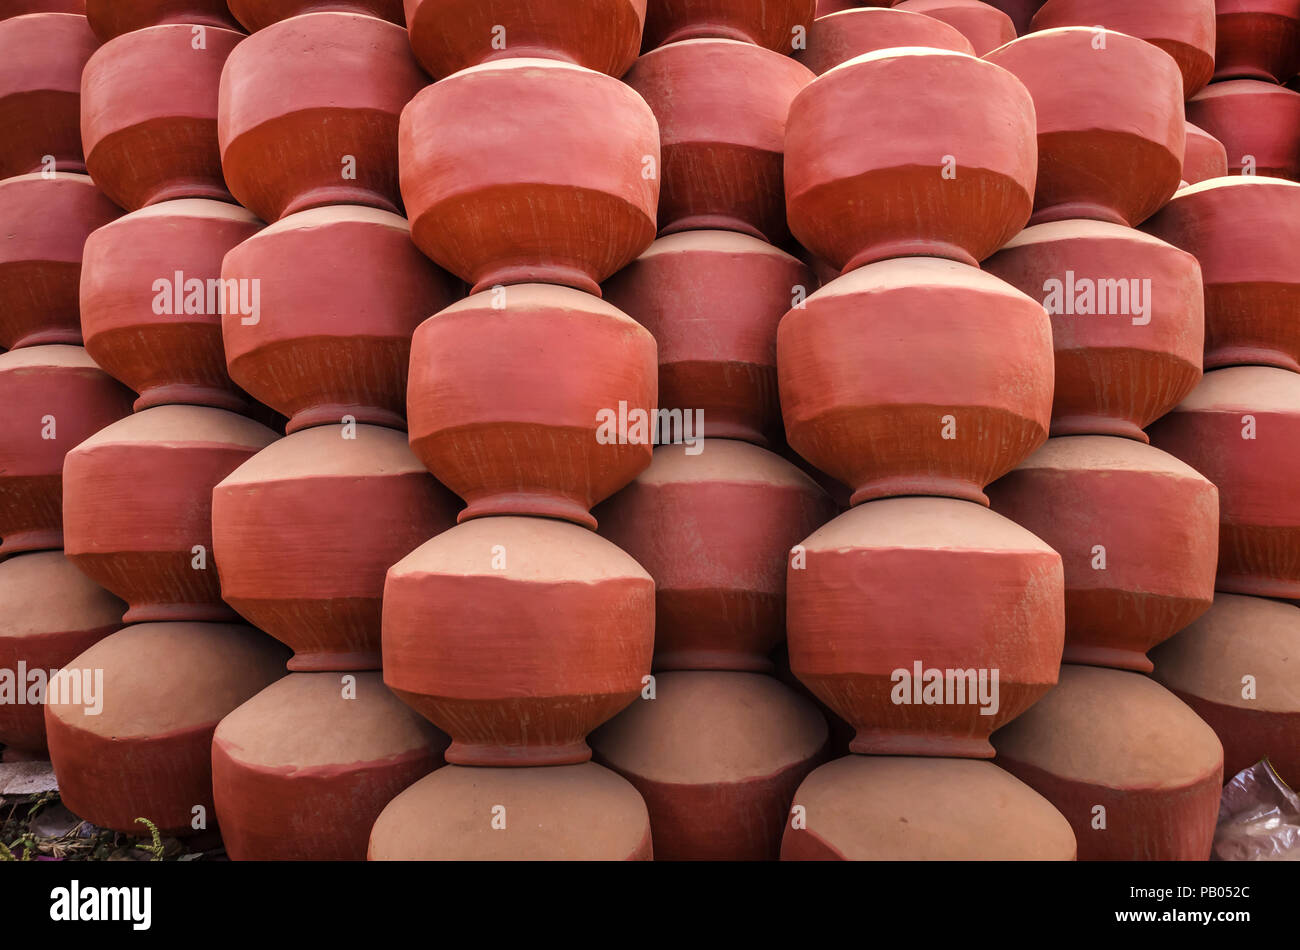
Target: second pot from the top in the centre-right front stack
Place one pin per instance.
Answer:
(857, 406)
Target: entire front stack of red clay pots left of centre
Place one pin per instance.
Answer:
(521, 631)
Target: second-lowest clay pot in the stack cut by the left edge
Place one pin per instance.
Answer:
(54, 398)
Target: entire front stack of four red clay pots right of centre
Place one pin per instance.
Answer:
(916, 379)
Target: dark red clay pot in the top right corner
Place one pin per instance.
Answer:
(1258, 40)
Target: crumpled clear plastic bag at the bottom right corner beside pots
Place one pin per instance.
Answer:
(1259, 818)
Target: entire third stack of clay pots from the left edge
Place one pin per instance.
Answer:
(306, 530)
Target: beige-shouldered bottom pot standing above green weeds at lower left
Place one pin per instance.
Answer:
(161, 691)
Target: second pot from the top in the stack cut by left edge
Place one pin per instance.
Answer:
(46, 223)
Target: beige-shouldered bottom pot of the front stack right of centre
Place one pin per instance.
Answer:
(869, 808)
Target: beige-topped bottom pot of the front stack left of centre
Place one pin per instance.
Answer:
(571, 813)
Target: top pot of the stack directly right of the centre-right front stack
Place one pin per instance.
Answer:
(1111, 123)
